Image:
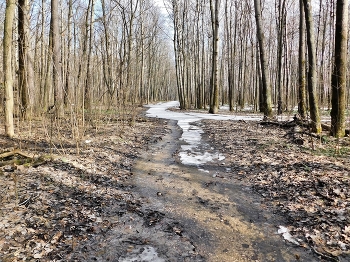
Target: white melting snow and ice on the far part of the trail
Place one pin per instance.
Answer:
(192, 152)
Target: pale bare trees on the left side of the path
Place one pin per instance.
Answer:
(80, 55)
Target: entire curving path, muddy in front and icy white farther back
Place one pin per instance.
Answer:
(193, 212)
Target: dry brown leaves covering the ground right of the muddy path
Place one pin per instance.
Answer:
(311, 189)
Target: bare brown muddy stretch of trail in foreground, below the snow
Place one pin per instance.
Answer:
(187, 213)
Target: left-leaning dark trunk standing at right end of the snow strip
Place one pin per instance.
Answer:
(265, 81)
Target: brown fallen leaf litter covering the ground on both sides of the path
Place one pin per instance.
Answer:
(50, 211)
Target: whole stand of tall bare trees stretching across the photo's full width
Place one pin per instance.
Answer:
(84, 55)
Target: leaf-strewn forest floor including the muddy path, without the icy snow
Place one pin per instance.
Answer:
(125, 196)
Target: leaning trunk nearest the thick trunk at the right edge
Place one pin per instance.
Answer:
(312, 73)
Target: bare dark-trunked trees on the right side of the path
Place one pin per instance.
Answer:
(272, 55)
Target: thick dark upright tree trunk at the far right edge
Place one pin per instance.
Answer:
(339, 70)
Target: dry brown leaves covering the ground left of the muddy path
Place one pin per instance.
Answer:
(45, 212)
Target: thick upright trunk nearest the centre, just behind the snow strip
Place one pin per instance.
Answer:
(214, 97)
